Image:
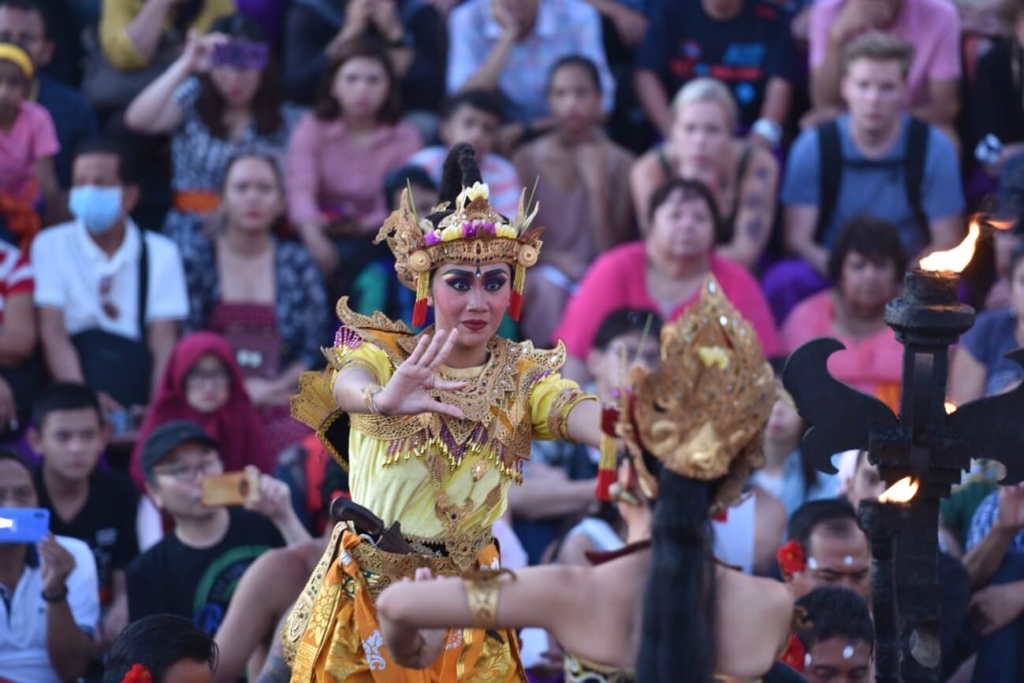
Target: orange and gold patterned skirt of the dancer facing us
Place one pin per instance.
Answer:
(332, 635)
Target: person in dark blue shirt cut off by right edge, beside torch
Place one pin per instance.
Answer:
(979, 366)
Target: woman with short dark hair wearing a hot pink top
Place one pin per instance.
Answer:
(664, 273)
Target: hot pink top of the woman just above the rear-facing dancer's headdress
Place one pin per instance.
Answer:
(618, 280)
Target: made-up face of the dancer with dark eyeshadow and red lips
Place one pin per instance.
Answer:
(472, 300)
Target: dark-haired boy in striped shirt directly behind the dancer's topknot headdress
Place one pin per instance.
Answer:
(475, 117)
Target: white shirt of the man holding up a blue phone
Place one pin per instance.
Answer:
(24, 658)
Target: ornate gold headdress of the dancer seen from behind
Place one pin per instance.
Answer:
(703, 414)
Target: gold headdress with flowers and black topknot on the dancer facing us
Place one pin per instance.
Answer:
(467, 231)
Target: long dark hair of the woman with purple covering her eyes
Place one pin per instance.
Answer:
(267, 103)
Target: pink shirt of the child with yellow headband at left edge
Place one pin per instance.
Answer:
(31, 139)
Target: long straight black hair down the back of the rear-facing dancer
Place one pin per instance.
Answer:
(679, 604)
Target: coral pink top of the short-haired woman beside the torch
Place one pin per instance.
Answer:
(866, 365)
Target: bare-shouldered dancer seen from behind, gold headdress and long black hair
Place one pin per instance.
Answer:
(662, 610)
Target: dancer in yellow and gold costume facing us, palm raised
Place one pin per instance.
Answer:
(441, 425)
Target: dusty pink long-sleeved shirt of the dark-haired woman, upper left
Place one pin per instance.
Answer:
(328, 175)
